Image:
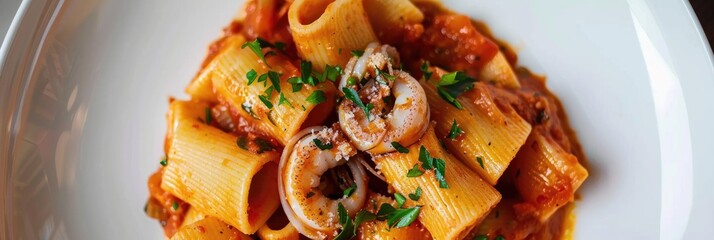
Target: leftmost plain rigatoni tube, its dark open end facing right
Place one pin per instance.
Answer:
(206, 169)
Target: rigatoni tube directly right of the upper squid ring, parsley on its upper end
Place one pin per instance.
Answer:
(489, 135)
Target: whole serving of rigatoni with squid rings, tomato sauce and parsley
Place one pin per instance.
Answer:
(366, 119)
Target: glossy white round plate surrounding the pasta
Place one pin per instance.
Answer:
(84, 87)
